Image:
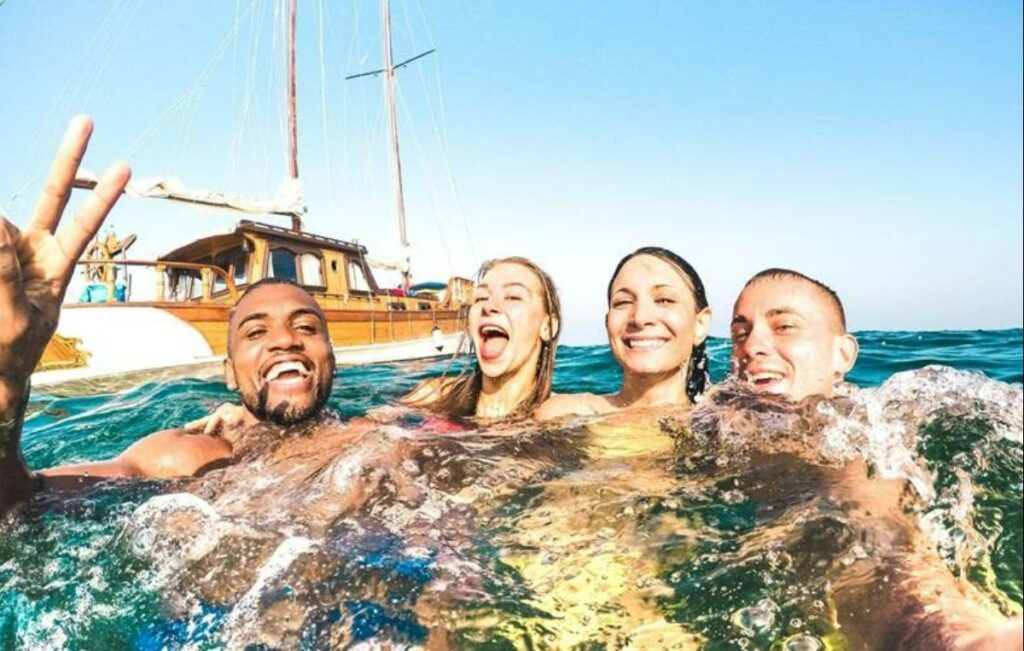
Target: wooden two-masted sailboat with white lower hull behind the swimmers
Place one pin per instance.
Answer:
(109, 339)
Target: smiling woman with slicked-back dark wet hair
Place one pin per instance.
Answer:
(658, 322)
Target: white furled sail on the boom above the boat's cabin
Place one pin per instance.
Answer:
(289, 201)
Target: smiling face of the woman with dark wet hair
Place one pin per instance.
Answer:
(653, 320)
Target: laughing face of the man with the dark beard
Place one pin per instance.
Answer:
(280, 357)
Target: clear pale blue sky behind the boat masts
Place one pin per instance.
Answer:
(876, 146)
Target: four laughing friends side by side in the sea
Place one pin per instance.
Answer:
(789, 334)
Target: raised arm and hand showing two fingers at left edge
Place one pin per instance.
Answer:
(36, 266)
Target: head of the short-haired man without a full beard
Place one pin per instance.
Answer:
(788, 339)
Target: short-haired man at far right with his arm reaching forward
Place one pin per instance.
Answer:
(790, 339)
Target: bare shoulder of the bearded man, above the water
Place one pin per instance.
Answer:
(176, 453)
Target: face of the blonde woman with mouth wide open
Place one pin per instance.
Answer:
(508, 321)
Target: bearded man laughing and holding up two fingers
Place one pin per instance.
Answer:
(280, 357)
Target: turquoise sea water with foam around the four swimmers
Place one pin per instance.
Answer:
(73, 576)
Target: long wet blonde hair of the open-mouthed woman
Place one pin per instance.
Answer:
(458, 397)
